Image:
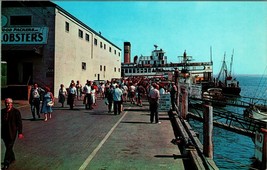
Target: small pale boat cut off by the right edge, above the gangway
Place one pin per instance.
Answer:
(258, 112)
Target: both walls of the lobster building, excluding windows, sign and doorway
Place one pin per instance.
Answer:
(61, 58)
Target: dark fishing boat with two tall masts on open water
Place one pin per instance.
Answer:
(225, 81)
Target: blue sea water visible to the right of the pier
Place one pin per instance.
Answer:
(231, 150)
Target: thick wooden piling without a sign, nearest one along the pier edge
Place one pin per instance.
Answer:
(207, 131)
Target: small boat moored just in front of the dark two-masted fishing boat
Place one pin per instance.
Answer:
(215, 96)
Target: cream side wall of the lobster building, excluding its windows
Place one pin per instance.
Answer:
(71, 51)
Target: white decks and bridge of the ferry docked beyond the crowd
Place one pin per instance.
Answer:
(156, 66)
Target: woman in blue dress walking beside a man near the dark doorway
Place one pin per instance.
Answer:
(46, 107)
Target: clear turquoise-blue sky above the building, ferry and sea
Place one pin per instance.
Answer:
(176, 26)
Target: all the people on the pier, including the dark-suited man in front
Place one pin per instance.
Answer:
(114, 93)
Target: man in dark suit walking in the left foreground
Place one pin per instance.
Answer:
(11, 125)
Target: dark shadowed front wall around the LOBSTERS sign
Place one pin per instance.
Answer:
(19, 54)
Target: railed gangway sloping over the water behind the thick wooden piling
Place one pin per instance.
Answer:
(227, 120)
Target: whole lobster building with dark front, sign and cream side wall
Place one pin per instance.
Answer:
(42, 43)
